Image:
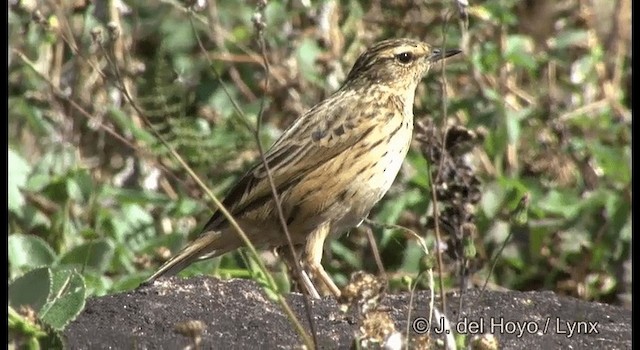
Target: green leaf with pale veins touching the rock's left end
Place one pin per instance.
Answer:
(66, 300)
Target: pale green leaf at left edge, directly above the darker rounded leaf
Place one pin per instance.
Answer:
(29, 251)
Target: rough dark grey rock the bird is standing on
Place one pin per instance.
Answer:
(237, 314)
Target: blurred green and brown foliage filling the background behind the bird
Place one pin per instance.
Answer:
(96, 202)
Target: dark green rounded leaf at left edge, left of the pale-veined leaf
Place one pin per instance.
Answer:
(30, 289)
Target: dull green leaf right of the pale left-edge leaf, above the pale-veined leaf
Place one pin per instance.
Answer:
(96, 255)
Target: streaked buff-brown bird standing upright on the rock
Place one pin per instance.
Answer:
(330, 167)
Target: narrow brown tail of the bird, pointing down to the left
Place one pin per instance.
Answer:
(201, 248)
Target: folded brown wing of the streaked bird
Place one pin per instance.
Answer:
(316, 137)
